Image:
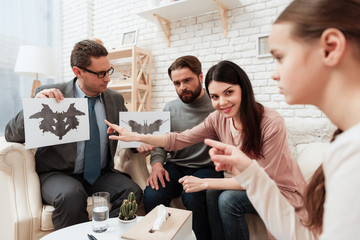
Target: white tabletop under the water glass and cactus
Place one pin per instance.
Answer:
(80, 231)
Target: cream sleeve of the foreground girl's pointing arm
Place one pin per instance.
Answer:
(277, 213)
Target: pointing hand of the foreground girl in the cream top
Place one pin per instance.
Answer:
(228, 157)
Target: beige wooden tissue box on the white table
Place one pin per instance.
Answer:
(177, 227)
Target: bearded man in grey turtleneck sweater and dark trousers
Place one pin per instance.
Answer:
(189, 110)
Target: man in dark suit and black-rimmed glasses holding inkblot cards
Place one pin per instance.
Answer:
(66, 176)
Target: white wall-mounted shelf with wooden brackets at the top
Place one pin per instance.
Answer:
(164, 14)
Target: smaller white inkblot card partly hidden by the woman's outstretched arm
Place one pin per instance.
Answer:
(154, 123)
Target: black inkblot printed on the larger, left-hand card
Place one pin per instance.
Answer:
(58, 123)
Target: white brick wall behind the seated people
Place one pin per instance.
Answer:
(201, 36)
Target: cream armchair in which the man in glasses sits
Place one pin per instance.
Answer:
(24, 216)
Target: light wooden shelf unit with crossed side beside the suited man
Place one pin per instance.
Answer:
(136, 87)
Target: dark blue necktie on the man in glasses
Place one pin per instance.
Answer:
(92, 163)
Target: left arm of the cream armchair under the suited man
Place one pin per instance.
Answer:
(21, 204)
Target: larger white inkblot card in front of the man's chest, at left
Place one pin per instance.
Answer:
(50, 123)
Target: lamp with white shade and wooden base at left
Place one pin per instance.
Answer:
(35, 61)
